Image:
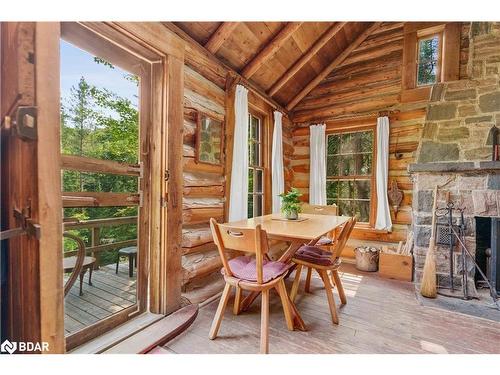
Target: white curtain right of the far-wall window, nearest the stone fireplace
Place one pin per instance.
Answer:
(383, 220)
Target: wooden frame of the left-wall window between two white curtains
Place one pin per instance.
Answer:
(262, 164)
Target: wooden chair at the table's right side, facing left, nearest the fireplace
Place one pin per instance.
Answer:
(323, 262)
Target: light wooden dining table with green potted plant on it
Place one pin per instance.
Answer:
(307, 229)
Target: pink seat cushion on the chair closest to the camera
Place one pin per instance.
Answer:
(244, 267)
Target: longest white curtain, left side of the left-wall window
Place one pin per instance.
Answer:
(238, 201)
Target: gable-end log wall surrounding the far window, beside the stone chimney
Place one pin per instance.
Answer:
(369, 81)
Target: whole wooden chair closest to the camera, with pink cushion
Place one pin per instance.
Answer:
(248, 273)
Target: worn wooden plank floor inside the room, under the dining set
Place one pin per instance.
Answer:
(381, 316)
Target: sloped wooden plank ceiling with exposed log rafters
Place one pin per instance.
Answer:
(286, 59)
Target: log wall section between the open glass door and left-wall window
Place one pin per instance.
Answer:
(203, 195)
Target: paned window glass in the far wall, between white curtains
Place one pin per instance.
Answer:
(349, 172)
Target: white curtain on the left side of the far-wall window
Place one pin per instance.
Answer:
(317, 175)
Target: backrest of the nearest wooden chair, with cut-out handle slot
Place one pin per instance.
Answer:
(247, 240)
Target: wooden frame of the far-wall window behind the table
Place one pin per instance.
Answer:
(373, 178)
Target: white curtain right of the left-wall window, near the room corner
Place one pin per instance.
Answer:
(278, 177)
